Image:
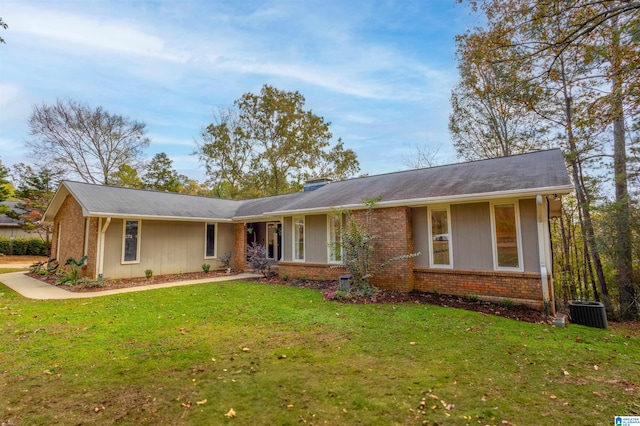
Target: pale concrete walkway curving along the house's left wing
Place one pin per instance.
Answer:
(36, 289)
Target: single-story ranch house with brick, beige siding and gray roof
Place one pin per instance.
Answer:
(481, 227)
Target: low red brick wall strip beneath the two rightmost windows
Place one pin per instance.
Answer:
(520, 287)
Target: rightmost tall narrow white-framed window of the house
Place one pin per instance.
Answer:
(506, 236)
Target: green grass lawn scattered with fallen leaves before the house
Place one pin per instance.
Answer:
(283, 355)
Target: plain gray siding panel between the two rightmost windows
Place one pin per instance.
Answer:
(471, 236)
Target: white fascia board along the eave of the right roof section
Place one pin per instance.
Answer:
(414, 202)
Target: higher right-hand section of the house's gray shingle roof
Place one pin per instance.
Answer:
(542, 170)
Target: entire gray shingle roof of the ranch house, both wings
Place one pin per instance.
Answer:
(542, 171)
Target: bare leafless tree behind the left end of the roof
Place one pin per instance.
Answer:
(88, 143)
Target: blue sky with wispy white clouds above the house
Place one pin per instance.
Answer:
(380, 71)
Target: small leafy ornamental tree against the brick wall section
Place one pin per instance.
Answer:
(358, 250)
